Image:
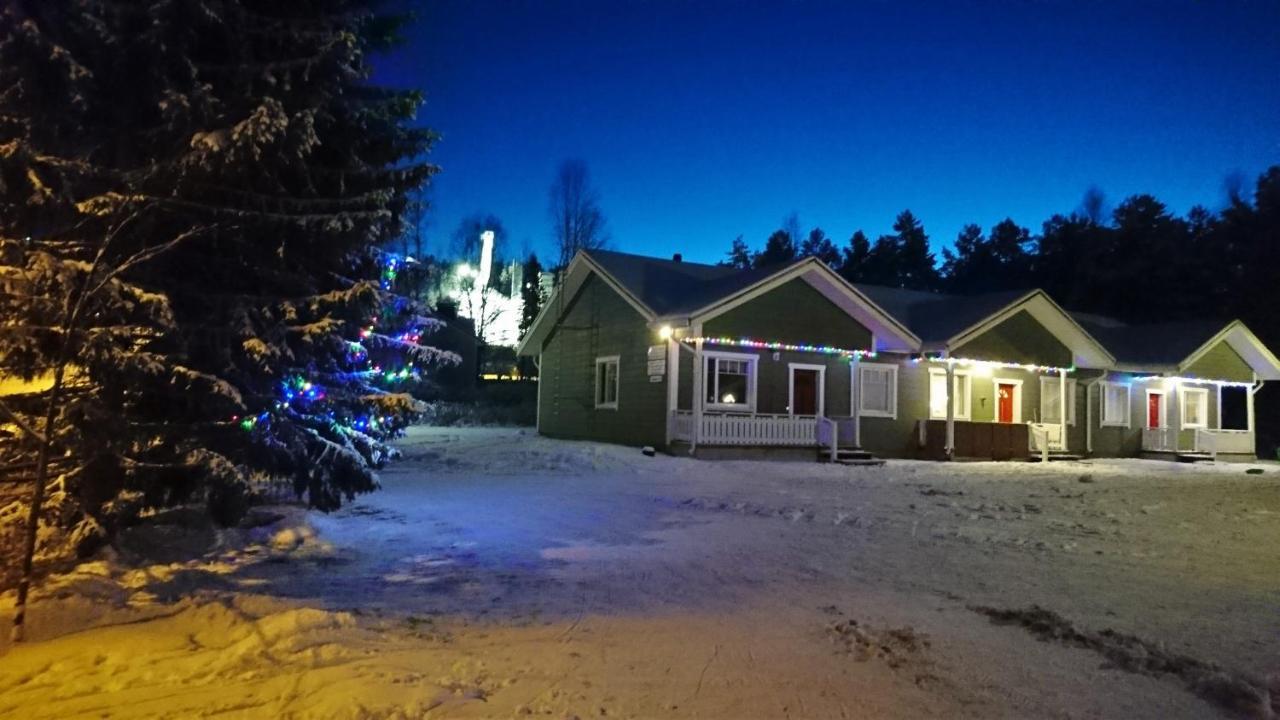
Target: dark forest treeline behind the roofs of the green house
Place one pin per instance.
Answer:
(1139, 263)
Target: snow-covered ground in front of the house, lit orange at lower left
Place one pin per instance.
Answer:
(500, 575)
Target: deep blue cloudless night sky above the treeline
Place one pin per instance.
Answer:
(706, 121)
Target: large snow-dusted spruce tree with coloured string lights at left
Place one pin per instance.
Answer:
(268, 343)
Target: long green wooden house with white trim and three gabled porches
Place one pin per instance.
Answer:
(714, 361)
